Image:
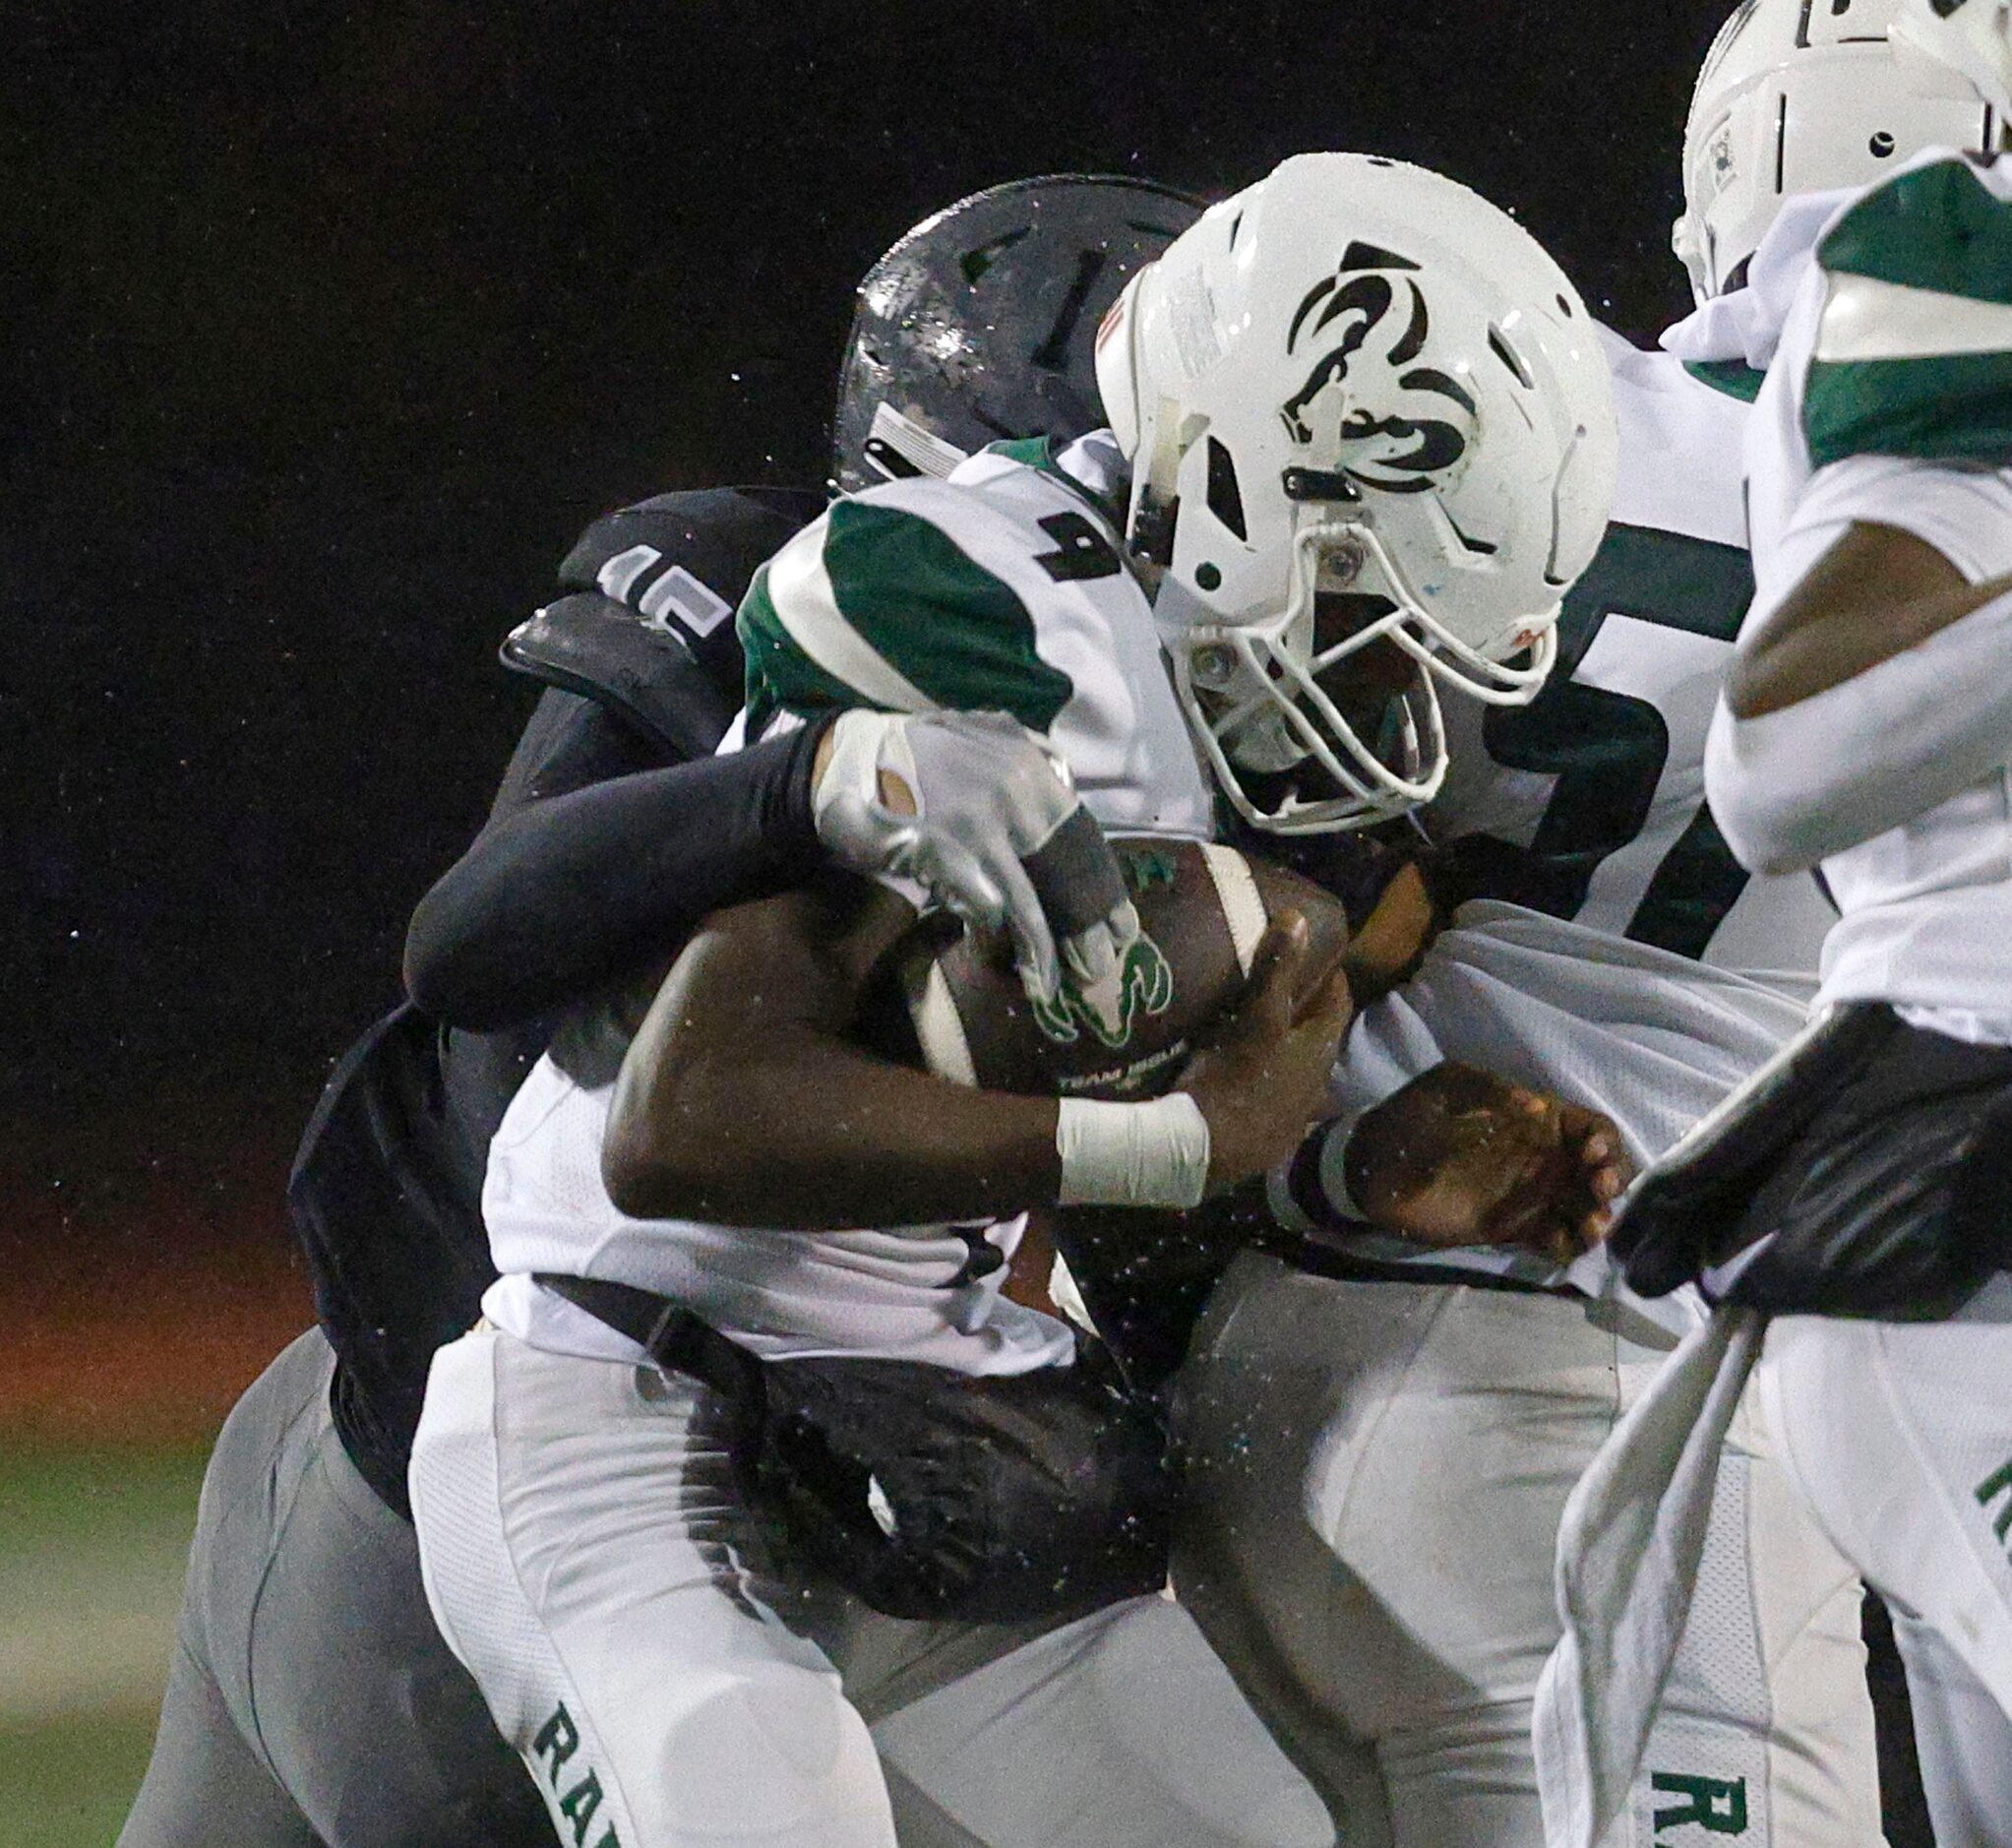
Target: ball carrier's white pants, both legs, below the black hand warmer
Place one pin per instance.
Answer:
(589, 1559)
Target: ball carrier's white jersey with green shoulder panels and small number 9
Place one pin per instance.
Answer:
(999, 589)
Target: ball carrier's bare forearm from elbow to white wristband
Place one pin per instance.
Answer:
(818, 1136)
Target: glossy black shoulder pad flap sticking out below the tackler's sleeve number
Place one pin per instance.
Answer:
(597, 647)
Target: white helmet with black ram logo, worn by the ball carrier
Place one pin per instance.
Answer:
(1373, 446)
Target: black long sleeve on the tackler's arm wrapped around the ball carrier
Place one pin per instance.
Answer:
(595, 863)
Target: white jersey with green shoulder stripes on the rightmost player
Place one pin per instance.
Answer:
(1890, 363)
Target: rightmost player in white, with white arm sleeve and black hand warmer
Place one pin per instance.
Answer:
(1862, 734)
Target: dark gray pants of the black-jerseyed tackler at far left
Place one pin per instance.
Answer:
(311, 1698)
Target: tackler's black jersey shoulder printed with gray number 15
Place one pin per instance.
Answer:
(685, 561)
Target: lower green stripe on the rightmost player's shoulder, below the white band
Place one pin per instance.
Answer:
(1947, 408)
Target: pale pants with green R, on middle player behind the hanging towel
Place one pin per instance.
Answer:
(1377, 1473)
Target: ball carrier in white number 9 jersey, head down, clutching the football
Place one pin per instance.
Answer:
(576, 1517)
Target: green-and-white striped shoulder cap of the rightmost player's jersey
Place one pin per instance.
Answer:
(1914, 349)
